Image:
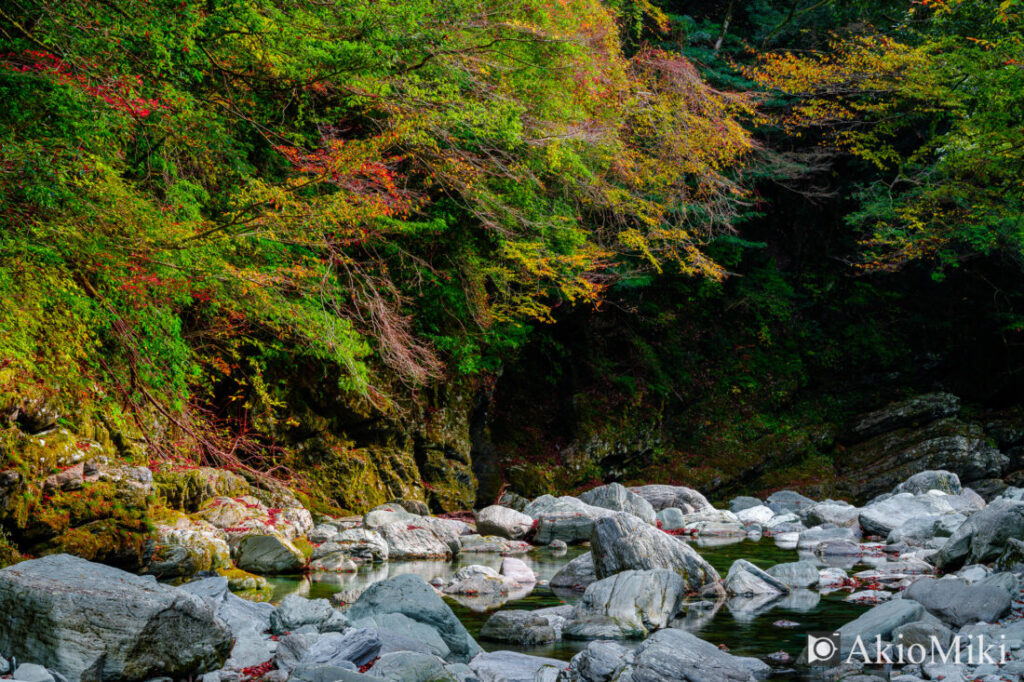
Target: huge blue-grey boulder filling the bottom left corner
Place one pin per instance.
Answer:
(92, 622)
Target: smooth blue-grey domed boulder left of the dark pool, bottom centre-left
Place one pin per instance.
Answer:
(412, 598)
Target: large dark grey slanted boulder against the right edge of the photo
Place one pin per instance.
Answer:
(983, 537)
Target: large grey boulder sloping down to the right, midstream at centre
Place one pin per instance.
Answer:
(623, 543)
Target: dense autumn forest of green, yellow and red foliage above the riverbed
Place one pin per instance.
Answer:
(437, 250)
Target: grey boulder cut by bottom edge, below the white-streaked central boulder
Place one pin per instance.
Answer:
(676, 656)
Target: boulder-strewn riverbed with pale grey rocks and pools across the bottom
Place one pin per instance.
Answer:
(650, 583)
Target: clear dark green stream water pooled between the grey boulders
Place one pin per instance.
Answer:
(744, 627)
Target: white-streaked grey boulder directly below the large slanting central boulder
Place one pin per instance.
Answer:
(629, 605)
